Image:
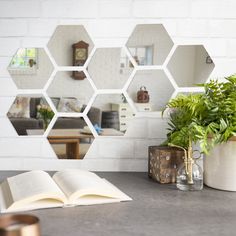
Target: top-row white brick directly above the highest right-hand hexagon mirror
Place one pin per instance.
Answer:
(161, 8)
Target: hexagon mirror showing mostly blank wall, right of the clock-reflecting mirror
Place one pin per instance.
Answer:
(110, 68)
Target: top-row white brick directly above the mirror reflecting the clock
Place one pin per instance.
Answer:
(69, 9)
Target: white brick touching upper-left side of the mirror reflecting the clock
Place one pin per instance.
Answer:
(42, 28)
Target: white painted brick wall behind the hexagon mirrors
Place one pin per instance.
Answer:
(31, 22)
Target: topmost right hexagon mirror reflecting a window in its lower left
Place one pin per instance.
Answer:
(149, 44)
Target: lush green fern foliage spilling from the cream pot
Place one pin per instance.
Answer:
(208, 118)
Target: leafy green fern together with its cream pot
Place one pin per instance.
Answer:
(210, 120)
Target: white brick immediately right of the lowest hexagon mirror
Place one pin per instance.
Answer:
(116, 148)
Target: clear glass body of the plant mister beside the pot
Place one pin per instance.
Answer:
(190, 183)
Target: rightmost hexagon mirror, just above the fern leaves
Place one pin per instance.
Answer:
(190, 65)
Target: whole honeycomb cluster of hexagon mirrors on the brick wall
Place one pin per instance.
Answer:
(72, 92)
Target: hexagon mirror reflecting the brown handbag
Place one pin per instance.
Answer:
(150, 90)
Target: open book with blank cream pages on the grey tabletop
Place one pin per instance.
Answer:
(37, 189)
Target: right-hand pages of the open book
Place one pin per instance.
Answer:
(77, 183)
